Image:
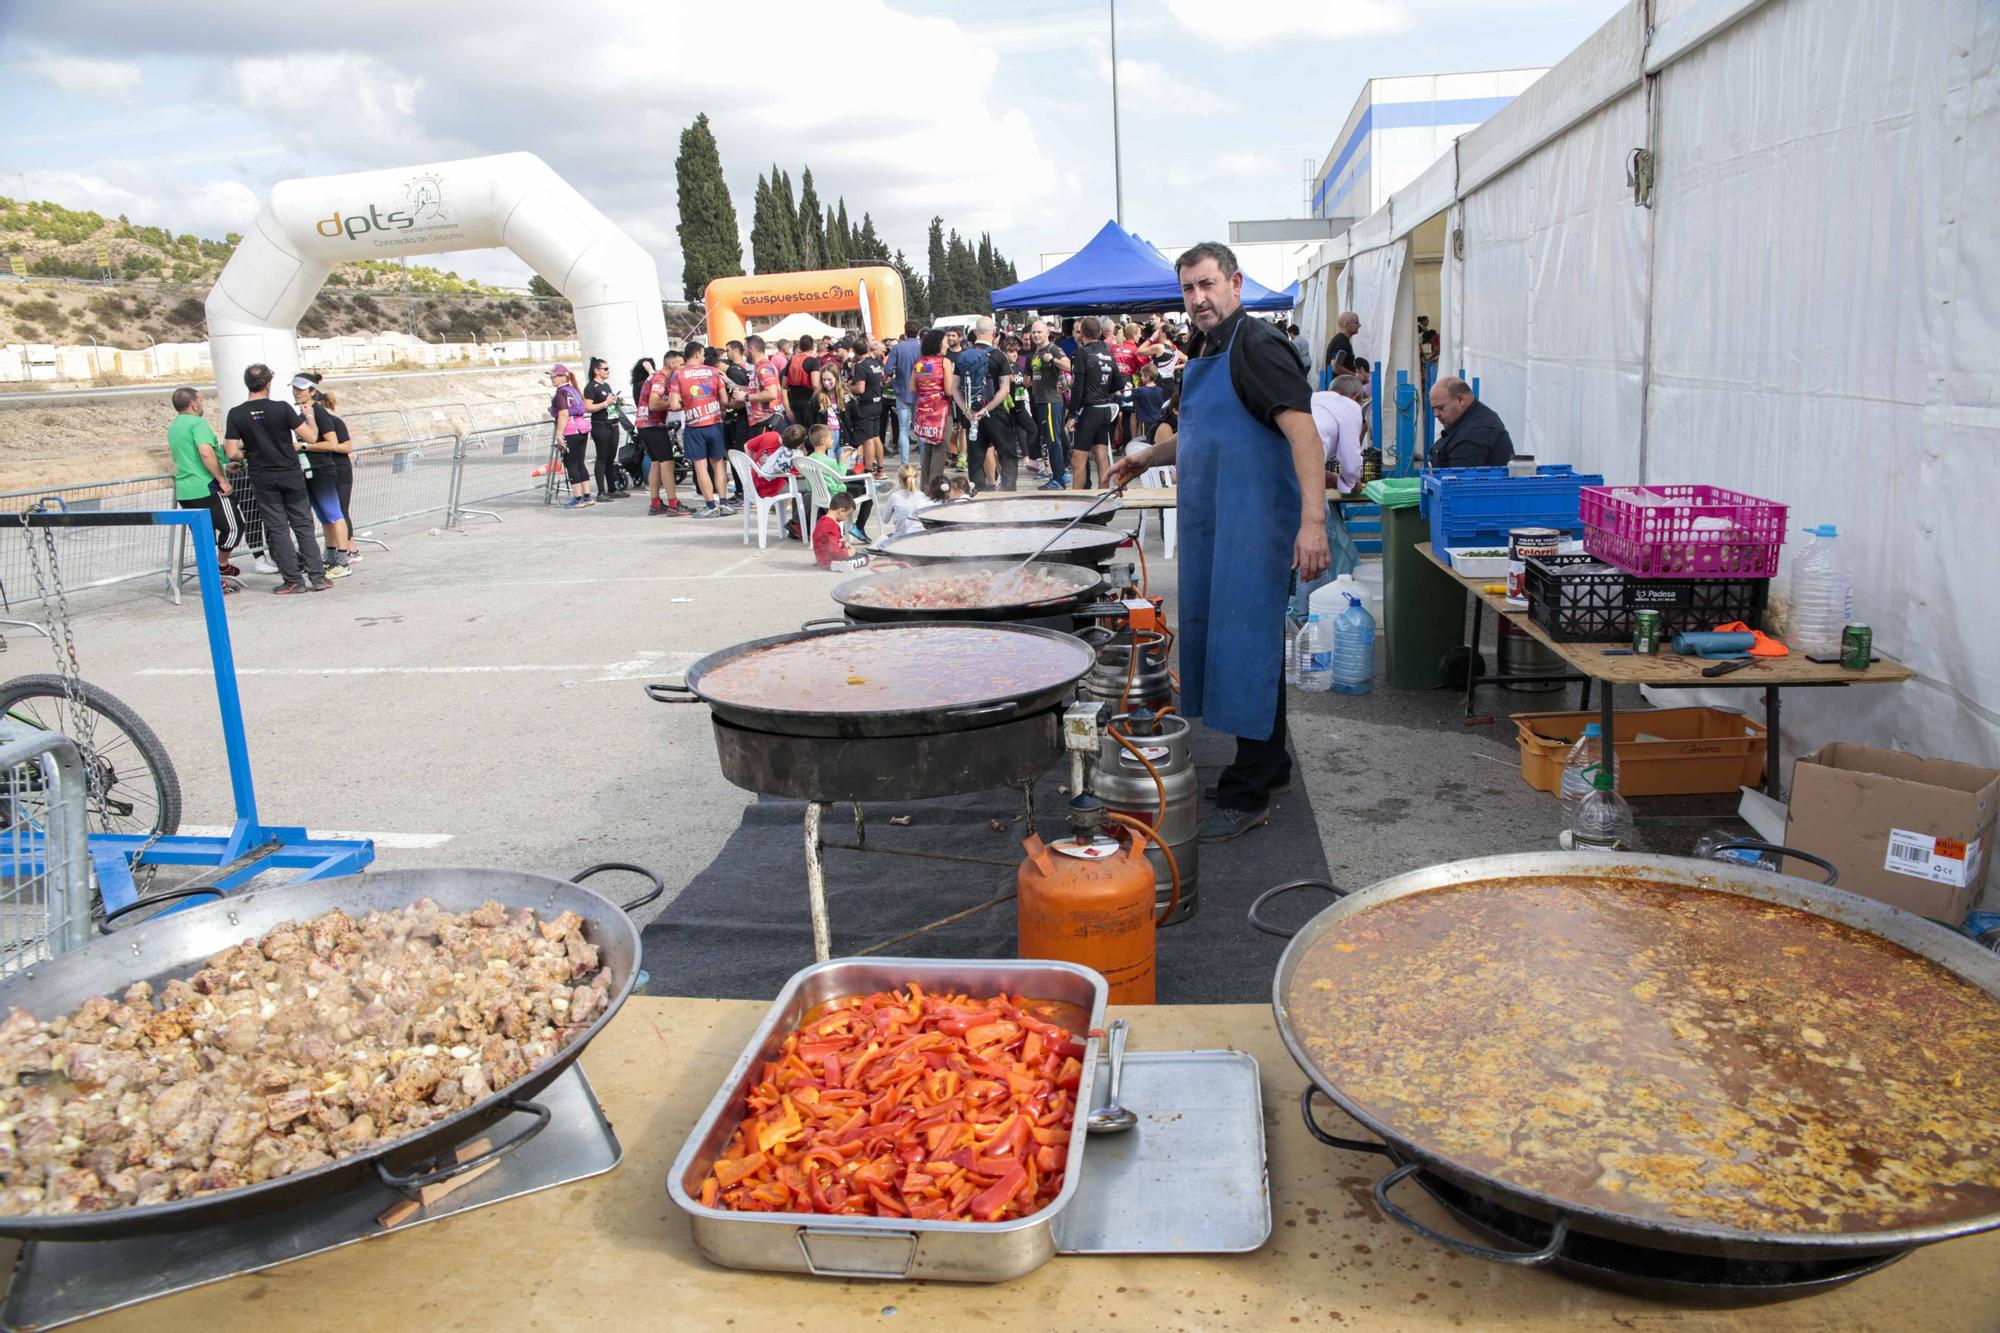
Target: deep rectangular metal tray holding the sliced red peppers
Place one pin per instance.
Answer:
(881, 1246)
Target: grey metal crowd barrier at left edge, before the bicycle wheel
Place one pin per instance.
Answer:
(45, 856)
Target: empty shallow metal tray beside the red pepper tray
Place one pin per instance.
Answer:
(1187, 1180)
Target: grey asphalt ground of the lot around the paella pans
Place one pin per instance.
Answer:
(475, 700)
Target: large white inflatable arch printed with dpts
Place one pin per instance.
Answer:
(511, 201)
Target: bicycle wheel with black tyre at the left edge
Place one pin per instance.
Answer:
(133, 784)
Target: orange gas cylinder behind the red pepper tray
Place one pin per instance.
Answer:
(1089, 900)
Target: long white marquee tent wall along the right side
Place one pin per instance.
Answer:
(1799, 295)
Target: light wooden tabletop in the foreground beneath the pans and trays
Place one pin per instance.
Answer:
(615, 1252)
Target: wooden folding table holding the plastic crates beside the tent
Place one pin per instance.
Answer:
(1669, 672)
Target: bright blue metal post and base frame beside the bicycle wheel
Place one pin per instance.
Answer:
(251, 848)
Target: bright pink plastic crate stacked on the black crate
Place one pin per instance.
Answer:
(1683, 531)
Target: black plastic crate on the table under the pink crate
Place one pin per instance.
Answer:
(1599, 607)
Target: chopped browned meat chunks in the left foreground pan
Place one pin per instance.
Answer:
(285, 1054)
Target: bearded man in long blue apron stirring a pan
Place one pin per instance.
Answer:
(1253, 509)
